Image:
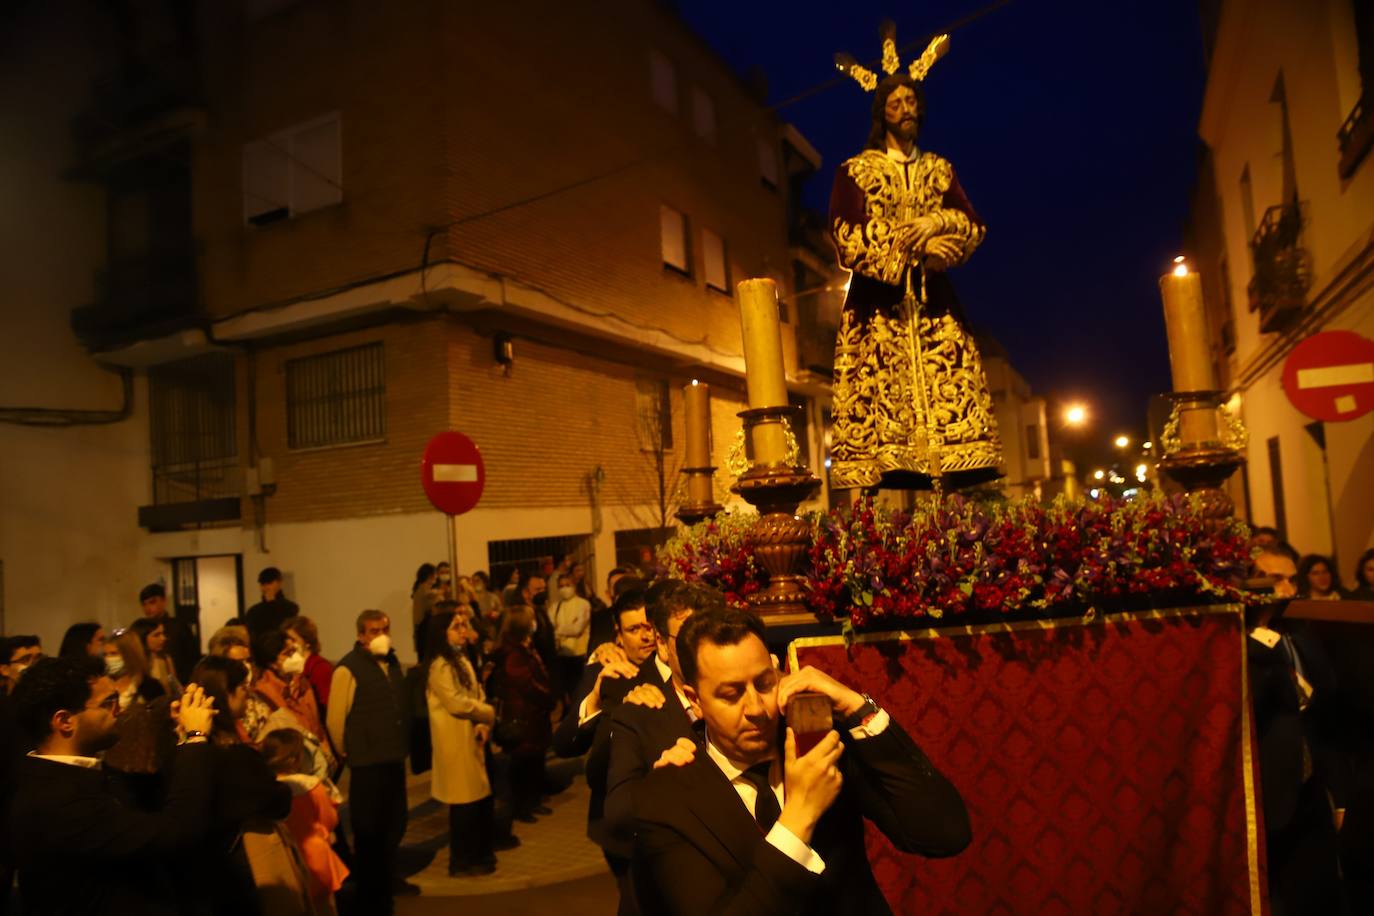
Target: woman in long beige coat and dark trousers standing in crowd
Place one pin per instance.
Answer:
(461, 722)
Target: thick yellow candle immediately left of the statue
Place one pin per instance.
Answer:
(766, 378)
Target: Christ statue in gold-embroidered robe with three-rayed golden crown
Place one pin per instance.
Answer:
(912, 404)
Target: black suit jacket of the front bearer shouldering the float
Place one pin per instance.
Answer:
(700, 851)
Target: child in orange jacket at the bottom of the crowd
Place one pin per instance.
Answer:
(314, 814)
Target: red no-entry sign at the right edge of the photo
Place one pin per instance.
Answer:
(1331, 377)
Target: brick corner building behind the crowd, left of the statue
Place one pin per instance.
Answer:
(330, 231)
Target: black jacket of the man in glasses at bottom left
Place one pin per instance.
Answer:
(82, 851)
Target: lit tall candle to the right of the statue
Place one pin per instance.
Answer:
(1191, 358)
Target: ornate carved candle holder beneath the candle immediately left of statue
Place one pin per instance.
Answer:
(781, 539)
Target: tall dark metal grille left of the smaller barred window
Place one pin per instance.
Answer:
(193, 428)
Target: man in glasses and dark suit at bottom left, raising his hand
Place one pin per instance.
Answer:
(80, 849)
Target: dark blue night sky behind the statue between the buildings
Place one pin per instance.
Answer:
(1072, 126)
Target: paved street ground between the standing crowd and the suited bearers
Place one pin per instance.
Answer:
(556, 865)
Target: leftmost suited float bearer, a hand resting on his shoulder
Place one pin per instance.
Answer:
(586, 730)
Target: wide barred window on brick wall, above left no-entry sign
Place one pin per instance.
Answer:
(336, 399)
